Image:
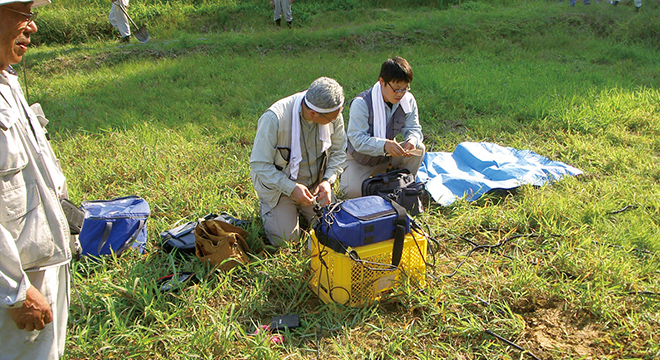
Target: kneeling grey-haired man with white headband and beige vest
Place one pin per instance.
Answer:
(296, 157)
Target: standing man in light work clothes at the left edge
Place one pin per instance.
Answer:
(34, 235)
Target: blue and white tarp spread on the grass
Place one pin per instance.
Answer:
(473, 169)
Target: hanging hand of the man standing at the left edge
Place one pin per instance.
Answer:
(35, 312)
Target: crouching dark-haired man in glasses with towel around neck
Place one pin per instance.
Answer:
(377, 116)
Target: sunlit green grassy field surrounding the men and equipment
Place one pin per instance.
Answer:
(173, 120)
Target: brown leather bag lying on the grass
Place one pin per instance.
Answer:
(221, 244)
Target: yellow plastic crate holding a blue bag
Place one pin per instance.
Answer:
(341, 279)
